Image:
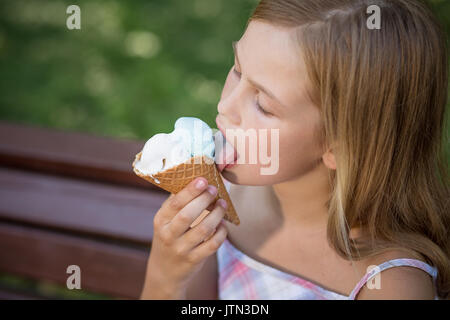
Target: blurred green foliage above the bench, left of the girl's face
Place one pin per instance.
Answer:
(131, 71)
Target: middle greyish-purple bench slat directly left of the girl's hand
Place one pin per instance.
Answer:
(79, 206)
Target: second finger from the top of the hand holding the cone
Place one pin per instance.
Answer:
(183, 220)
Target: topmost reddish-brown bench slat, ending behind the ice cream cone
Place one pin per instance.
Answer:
(70, 153)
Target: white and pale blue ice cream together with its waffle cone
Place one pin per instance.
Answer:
(166, 162)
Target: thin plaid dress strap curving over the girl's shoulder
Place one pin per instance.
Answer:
(391, 264)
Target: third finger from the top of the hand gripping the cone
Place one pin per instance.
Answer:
(206, 228)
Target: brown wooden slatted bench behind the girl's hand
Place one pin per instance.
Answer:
(72, 199)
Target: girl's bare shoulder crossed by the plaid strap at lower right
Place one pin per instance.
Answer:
(398, 283)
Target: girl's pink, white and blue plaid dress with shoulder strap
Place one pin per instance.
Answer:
(243, 278)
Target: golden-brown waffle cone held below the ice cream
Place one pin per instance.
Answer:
(175, 179)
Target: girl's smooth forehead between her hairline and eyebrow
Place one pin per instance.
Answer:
(269, 55)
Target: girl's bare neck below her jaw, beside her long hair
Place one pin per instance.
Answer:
(303, 199)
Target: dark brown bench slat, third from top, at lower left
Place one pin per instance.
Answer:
(105, 267)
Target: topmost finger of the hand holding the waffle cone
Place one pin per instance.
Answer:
(176, 202)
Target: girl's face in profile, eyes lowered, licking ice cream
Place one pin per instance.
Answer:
(266, 89)
